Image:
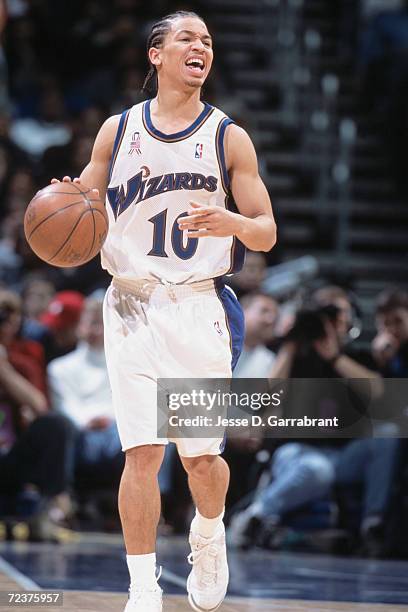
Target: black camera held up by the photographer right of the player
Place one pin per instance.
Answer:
(310, 321)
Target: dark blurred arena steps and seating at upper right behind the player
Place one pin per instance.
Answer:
(296, 82)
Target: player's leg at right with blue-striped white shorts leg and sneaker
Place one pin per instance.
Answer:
(205, 331)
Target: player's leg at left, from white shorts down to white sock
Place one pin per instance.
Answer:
(131, 366)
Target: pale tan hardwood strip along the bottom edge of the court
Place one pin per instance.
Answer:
(82, 601)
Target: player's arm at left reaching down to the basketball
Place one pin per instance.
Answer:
(96, 174)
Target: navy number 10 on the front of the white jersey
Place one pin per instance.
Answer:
(181, 250)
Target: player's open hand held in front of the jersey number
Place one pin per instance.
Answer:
(209, 221)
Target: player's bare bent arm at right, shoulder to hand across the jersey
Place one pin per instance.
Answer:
(254, 224)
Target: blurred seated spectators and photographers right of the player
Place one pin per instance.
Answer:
(355, 482)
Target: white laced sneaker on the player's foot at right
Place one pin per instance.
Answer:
(208, 580)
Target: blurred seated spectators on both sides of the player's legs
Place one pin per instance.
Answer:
(61, 459)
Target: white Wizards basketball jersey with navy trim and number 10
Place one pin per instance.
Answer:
(153, 177)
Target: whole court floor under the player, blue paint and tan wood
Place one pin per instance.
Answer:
(91, 571)
